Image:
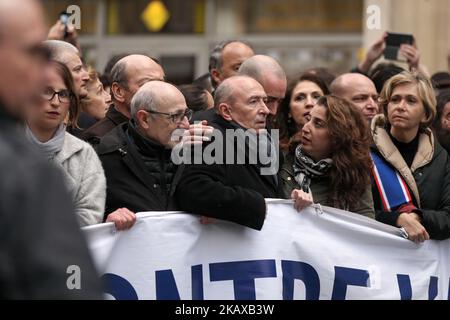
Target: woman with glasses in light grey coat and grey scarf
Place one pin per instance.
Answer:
(81, 167)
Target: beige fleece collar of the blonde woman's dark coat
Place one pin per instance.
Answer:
(390, 153)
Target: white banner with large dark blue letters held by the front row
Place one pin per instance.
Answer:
(319, 253)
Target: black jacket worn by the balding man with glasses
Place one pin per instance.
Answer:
(139, 173)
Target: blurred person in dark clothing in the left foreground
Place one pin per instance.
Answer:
(39, 235)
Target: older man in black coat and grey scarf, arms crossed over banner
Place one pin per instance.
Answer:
(232, 182)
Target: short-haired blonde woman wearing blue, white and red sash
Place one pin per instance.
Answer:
(411, 176)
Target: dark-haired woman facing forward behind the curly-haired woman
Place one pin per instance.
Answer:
(301, 95)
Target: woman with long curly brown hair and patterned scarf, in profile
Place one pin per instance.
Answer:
(332, 164)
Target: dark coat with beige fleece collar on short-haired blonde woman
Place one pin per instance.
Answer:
(431, 173)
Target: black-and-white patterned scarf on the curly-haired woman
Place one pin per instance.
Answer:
(306, 169)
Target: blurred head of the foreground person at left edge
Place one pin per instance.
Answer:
(22, 30)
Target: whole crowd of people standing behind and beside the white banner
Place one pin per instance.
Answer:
(80, 148)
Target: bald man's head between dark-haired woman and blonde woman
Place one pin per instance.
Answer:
(358, 89)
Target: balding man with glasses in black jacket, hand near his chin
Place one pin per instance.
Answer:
(136, 155)
